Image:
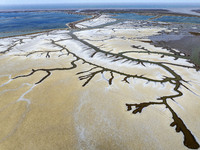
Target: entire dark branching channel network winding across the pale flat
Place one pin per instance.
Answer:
(88, 75)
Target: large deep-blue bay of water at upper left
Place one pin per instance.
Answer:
(17, 23)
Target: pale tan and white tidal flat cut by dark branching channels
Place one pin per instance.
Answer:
(103, 83)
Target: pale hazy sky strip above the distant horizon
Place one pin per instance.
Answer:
(93, 1)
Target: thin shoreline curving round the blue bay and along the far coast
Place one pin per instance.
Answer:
(95, 13)
